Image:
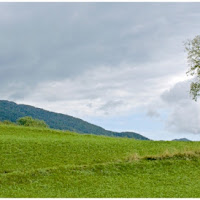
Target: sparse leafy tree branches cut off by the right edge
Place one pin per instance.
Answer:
(193, 49)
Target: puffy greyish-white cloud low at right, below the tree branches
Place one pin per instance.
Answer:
(184, 114)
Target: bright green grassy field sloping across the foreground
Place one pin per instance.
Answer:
(49, 163)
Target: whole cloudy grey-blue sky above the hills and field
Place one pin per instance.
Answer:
(118, 65)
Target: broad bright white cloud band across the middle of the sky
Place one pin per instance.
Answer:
(107, 91)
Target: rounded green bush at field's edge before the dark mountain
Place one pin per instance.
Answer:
(29, 121)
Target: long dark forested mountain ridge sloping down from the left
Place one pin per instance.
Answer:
(12, 111)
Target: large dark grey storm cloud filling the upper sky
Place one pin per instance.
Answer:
(53, 41)
